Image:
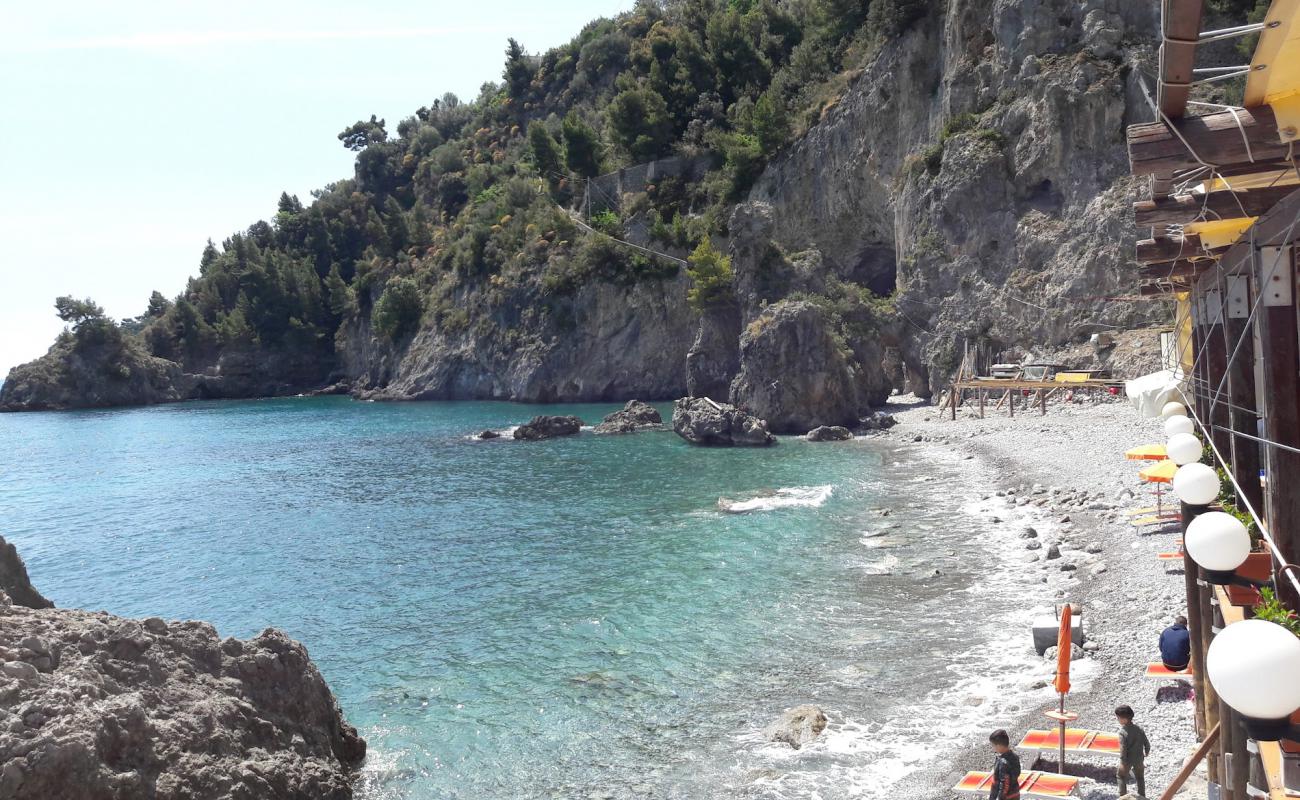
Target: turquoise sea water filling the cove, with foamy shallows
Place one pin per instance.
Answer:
(573, 619)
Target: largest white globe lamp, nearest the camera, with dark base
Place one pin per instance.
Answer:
(1254, 668)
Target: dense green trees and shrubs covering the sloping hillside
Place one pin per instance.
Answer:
(470, 198)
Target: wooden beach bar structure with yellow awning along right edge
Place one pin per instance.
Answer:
(1220, 210)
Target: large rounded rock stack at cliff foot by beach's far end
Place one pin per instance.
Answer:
(795, 374)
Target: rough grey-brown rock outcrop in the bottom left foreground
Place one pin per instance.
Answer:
(94, 706)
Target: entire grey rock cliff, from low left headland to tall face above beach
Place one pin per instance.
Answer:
(974, 172)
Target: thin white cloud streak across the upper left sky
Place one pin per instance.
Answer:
(172, 40)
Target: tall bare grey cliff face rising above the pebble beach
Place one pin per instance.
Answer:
(980, 165)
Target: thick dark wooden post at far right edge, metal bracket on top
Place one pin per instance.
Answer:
(1280, 351)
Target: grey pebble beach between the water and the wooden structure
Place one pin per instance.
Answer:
(1069, 470)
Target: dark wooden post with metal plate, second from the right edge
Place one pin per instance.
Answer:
(1241, 384)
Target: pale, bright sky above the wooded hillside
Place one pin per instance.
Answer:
(140, 129)
